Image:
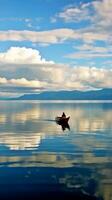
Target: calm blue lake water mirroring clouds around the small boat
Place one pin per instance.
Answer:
(38, 158)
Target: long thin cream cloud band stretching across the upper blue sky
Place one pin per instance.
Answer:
(54, 36)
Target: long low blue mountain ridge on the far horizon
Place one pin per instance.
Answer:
(104, 94)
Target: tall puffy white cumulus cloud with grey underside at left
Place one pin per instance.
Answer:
(26, 62)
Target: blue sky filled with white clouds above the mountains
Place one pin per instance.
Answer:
(48, 45)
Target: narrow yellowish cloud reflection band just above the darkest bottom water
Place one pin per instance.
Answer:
(55, 160)
